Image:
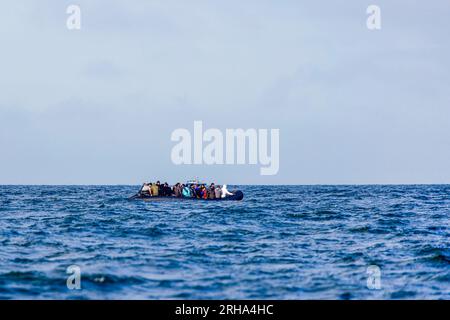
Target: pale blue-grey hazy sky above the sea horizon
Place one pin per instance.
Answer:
(98, 105)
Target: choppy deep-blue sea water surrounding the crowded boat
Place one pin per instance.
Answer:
(281, 242)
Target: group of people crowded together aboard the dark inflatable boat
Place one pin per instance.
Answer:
(200, 191)
